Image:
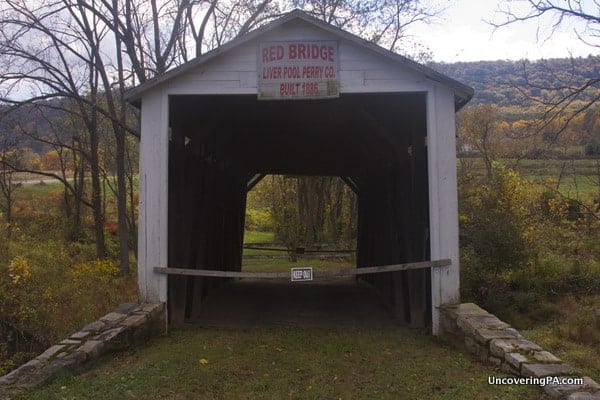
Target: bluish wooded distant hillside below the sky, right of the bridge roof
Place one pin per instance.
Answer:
(496, 81)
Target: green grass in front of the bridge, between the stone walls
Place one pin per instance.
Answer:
(287, 363)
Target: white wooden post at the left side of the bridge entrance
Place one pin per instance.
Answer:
(153, 203)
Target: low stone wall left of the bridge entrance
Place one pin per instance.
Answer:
(130, 324)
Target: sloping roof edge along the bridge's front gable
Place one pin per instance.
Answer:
(462, 92)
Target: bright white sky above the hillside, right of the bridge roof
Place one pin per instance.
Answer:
(463, 35)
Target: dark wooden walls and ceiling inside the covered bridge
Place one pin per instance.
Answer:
(376, 142)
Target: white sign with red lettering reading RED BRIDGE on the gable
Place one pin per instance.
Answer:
(298, 70)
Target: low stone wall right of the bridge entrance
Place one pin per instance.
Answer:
(496, 343)
